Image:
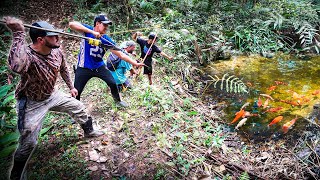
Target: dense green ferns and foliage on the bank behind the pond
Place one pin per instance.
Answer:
(246, 26)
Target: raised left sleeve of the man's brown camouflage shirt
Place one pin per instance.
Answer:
(18, 59)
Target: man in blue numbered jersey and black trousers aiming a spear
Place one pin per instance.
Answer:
(90, 58)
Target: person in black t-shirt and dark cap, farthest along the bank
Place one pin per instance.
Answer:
(145, 47)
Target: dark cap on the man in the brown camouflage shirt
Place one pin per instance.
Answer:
(35, 33)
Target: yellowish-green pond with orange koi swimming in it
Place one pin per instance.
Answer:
(291, 83)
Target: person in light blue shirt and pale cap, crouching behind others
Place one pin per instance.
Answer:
(119, 67)
